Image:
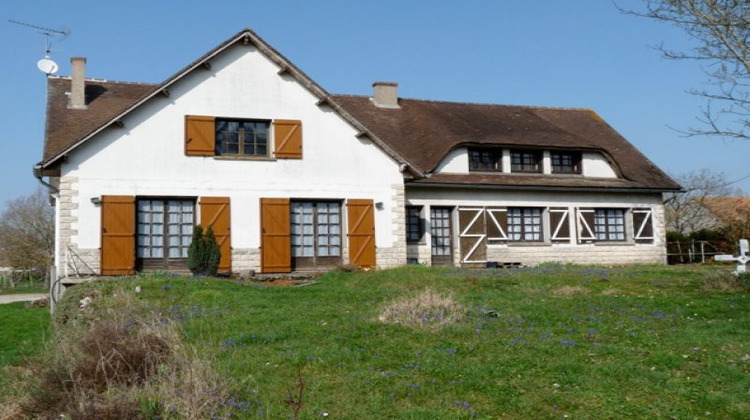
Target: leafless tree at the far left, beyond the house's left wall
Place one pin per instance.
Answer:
(27, 232)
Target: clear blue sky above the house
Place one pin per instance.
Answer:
(564, 53)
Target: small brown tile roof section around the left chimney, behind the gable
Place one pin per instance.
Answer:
(105, 100)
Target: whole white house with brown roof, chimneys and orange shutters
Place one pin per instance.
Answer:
(293, 178)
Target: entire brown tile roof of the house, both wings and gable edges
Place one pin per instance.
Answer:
(418, 134)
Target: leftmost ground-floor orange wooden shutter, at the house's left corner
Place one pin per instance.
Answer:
(118, 235)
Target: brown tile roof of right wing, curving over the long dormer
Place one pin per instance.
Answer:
(425, 131)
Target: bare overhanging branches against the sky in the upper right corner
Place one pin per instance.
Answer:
(720, 30)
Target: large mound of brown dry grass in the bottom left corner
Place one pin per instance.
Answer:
(125, 360)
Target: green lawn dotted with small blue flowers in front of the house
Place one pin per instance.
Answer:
(641, 341)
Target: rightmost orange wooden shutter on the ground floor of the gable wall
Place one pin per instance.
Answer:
(361, 215)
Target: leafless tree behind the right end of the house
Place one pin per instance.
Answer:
(685, 212)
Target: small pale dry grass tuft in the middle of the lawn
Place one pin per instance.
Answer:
(426, 309)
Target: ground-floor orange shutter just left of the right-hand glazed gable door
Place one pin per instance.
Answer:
(276, 242)
